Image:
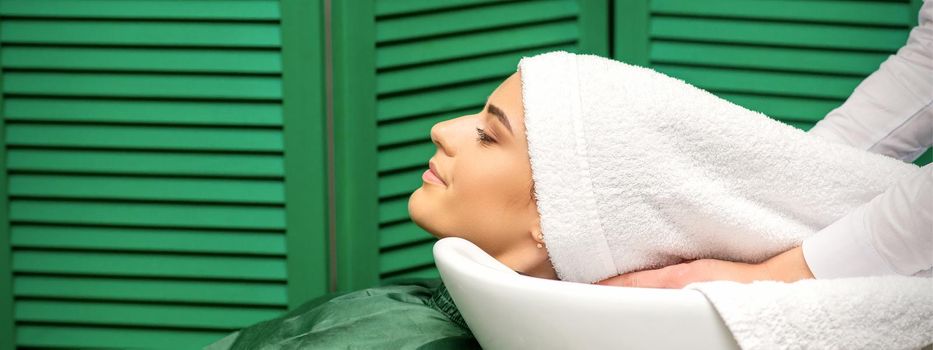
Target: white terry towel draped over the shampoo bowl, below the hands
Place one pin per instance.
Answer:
(881, 312)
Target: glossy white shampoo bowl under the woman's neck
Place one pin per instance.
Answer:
(506, 310)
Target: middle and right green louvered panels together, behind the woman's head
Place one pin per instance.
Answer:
(401, 66)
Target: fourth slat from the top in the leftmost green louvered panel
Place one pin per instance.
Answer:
(142, 85)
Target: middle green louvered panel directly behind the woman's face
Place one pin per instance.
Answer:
(434, 60)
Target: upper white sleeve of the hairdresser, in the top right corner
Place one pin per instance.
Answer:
(891, 111)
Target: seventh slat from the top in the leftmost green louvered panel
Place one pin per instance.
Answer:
(145, 163)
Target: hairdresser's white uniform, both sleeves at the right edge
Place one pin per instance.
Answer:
(891, 113)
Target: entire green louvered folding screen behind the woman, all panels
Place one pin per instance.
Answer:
(166, 164)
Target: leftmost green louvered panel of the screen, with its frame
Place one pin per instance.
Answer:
(146, 172)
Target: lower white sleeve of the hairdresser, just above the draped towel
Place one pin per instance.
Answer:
(892, 234)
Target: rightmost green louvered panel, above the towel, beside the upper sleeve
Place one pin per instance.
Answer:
(792, 60)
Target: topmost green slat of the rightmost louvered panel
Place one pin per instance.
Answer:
(858, 12)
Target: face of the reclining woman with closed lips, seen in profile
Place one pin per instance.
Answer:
(483, 189)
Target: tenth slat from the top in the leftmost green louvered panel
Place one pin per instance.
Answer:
(133, 239)
